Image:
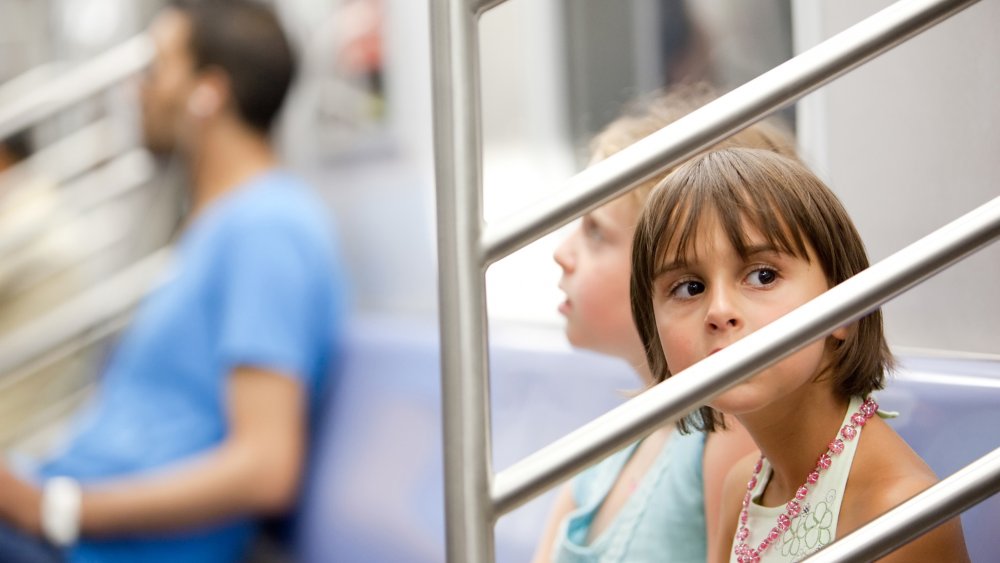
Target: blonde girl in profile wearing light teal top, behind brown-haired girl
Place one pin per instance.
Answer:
(658, 499)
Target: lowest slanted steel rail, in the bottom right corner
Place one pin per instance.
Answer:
(962, 490)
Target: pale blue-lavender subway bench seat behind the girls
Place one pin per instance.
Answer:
(375, 493)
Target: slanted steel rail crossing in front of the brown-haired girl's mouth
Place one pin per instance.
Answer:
(693, 387)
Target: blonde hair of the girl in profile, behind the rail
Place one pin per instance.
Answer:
(646, 116)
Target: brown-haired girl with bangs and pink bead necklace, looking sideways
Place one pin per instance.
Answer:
(731, 241)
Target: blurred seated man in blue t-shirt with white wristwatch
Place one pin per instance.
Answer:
(201, 423)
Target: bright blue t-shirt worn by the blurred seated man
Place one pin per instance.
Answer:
(255, 282)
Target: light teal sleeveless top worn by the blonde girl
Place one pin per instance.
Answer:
(663, 521)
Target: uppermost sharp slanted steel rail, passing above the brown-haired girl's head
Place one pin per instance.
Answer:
(704, 127)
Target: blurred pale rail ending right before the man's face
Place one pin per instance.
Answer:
(114, 66)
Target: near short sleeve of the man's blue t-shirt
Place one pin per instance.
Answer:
(267, 302)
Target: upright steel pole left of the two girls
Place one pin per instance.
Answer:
(469, 515)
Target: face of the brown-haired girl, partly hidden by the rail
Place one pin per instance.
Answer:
(717, 297)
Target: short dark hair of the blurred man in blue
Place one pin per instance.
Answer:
(246, 41)
